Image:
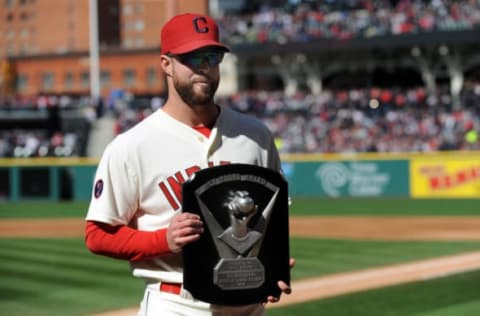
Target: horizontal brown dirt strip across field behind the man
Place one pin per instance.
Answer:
(352, 227)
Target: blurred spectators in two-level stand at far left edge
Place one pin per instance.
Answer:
(35, 127)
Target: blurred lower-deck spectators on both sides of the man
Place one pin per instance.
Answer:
(341, 120)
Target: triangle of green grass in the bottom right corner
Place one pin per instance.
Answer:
(456, 295)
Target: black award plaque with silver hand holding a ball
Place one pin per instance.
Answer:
(244, 250)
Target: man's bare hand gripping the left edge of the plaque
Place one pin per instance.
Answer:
(184, 228)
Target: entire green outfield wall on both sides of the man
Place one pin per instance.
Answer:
(449, 175)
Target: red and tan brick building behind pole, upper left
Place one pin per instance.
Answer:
(44, 45)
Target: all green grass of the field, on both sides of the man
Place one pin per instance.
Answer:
(53, 276)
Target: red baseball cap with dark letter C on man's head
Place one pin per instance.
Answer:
(188, 32)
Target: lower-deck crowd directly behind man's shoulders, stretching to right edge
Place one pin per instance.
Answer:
(358, 120)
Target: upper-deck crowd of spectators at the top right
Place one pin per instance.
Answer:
(310, 20)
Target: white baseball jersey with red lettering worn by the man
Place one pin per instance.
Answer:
(139, 177)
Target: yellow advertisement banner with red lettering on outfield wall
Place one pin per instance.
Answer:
(445, 176)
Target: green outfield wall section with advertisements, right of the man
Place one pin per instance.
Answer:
(418, 175)
